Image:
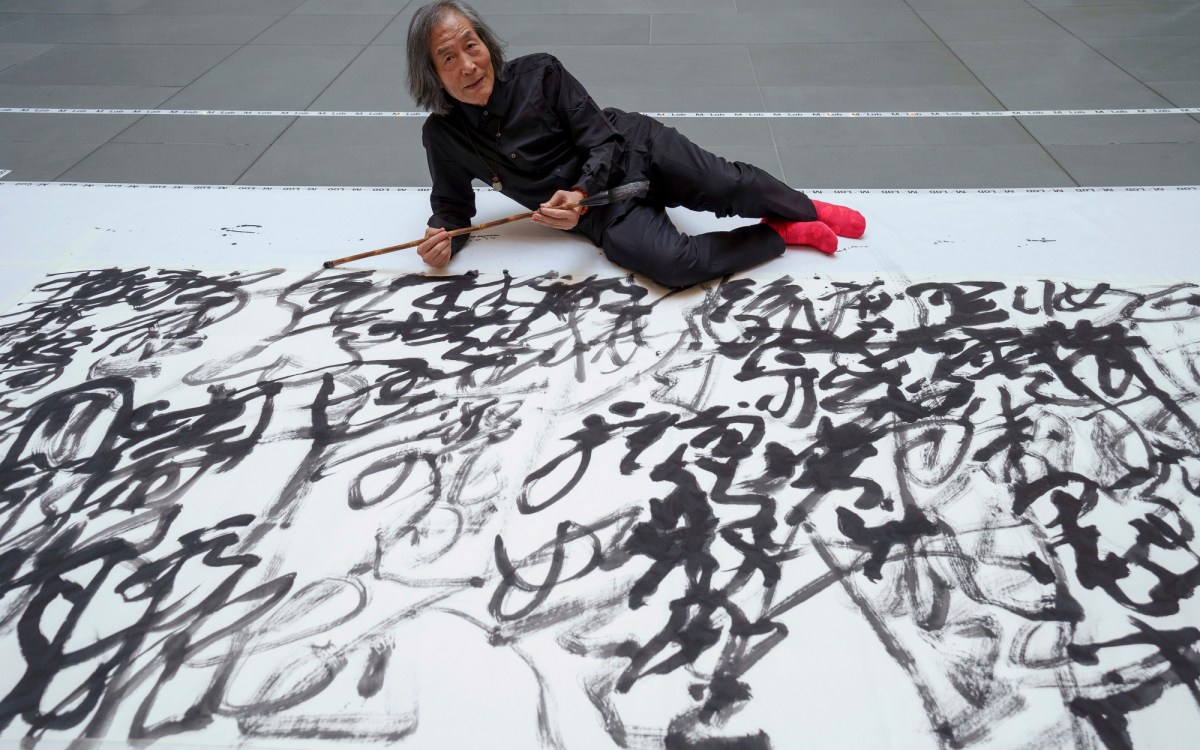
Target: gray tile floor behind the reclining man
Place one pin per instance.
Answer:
(650, 56)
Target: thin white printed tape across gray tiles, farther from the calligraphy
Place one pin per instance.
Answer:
(730, 116)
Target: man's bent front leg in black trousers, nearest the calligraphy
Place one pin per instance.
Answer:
(645, 241)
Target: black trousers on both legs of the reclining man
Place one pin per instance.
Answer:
(644, 239)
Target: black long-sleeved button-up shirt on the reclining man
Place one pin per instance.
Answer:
(539, 133)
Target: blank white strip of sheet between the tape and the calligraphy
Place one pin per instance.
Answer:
(1137, 233)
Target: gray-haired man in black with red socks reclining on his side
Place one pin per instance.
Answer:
(531, 130)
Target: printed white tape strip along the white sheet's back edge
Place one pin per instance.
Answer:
(874, 191)
